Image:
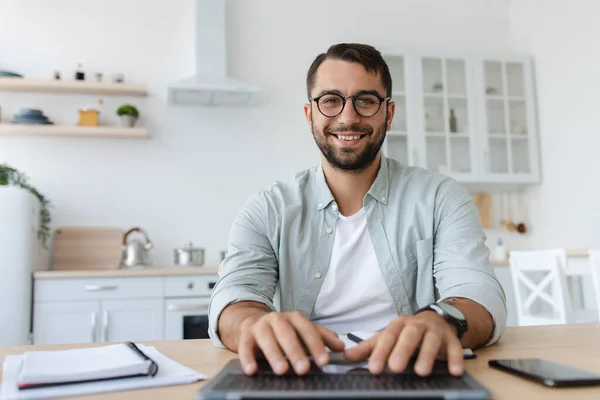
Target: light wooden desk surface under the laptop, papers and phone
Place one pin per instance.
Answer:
(577, 345)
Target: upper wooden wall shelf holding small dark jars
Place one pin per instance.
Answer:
(71, 87)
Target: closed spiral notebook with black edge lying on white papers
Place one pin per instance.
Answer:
(46, 368)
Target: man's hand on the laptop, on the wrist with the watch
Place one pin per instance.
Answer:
(397, 343)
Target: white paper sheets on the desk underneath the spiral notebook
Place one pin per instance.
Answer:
(169, 373)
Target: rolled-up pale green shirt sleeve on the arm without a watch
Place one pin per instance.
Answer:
(249, 272)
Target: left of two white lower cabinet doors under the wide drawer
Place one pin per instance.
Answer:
(66, 322)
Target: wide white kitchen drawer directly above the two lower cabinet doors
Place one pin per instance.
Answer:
(98, 288)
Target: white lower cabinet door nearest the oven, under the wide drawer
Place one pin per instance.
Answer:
(123, 320)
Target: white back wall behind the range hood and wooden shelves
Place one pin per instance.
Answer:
(190, 179)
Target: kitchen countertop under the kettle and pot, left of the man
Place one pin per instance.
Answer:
(118, 273)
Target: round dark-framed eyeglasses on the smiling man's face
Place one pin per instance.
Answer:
(365, 104)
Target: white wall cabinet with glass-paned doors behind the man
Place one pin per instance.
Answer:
(472, 118)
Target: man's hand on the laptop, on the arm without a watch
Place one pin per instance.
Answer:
(278, 335)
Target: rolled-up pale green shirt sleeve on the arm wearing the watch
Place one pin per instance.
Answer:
(461, 258)
